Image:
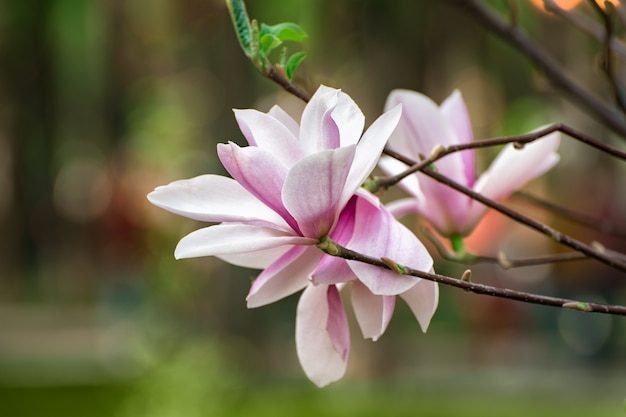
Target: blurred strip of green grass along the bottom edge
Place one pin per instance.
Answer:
(290, 398)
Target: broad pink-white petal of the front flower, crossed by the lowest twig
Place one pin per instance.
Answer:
(378, 234)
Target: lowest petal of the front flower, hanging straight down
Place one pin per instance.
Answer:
(322, 337)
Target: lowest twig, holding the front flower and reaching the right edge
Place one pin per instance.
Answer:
(476, 288)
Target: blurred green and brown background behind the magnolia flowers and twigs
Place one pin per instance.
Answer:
(102, 100)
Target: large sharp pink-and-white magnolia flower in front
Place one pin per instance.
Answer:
(292, 188)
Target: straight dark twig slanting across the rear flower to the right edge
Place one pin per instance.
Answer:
(552, 233)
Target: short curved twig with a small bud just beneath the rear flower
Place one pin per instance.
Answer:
(502, 260)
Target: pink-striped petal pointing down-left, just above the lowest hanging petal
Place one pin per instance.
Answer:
(286, 275)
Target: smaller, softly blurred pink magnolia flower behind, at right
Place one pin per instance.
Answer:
(423, 126)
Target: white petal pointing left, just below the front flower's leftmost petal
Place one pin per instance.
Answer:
(227, 238)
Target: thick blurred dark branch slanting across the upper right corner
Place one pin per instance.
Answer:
(545, 63)
